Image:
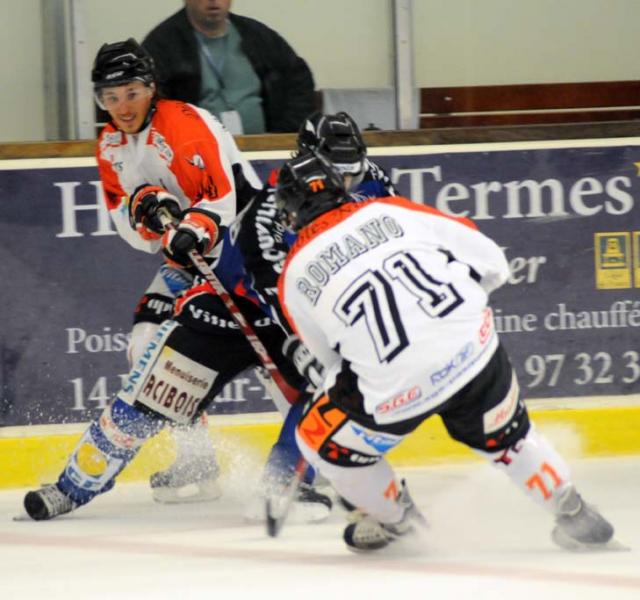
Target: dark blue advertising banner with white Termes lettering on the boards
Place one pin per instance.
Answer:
(566, 215)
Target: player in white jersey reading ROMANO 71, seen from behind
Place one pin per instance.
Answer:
(392, 298)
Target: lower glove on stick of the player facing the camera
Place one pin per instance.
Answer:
(197, 231)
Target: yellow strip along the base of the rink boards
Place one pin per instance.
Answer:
(587, 427)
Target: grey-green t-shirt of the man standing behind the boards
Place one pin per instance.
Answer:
(229, 81)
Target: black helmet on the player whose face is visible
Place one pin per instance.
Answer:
(120, 63)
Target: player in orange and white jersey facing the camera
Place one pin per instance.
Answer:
(157, 153)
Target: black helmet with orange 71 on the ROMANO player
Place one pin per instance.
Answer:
(308, 186)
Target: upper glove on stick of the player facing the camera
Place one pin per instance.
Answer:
(144, 205)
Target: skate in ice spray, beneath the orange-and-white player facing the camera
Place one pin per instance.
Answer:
(189, 479)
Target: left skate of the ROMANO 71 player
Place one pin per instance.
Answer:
(365, 533)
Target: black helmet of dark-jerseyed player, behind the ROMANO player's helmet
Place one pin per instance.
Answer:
(337, 138)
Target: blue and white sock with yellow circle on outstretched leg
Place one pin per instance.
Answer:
(105, 448)
